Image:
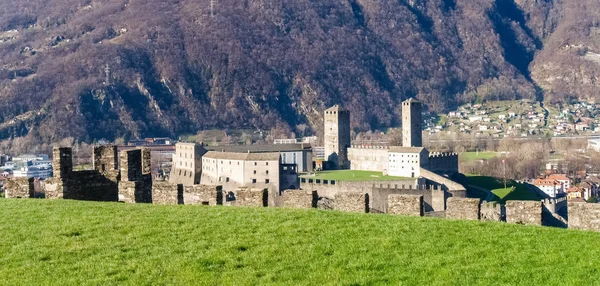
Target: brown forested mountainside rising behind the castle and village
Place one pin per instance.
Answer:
(93, 69)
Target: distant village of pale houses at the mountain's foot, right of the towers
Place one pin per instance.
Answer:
(520, 118)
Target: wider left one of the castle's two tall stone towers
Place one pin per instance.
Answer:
(337, 136)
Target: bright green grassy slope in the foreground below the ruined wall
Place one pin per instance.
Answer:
(70, 242)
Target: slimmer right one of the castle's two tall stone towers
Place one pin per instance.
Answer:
(411, 123)
